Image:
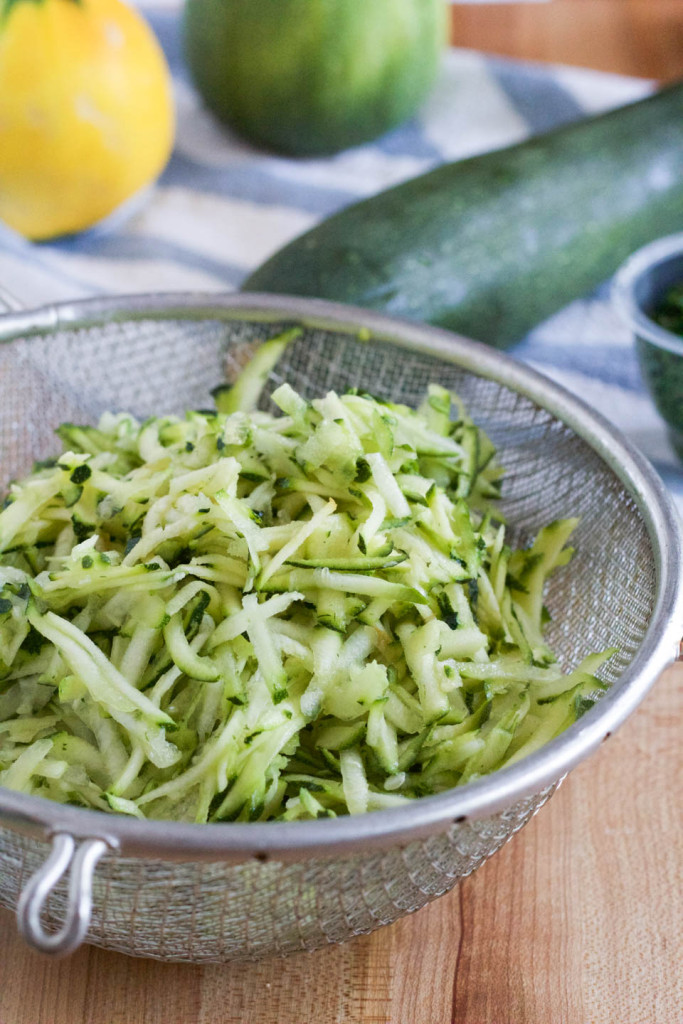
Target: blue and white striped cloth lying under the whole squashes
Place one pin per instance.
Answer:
(223, 207)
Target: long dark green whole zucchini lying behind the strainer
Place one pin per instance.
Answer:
(491, 246)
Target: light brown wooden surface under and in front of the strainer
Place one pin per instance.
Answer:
(579, 920)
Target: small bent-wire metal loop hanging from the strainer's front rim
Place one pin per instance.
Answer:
(83, 861)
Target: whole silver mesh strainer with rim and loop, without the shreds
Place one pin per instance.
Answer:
(230, 892)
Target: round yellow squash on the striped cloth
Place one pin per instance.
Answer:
(87, 115)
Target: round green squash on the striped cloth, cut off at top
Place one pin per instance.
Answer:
(308, 77)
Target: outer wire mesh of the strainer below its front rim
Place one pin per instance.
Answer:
(218, 913)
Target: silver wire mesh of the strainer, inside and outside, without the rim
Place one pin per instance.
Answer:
(221, 912)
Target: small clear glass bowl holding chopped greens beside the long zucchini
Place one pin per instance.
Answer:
(641, 286)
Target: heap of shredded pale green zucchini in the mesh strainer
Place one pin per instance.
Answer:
(250, 617)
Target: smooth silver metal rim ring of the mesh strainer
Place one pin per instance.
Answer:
(488, 796)
